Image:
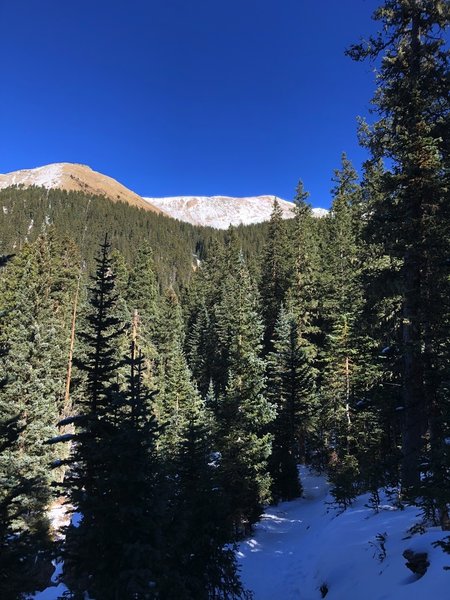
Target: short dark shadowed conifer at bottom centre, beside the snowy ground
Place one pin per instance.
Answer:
(202, 565)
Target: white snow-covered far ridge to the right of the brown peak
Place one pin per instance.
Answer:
(222, 211)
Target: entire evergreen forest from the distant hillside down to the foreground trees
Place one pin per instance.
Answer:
(162, 382)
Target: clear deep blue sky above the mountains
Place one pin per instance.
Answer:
(173, 97)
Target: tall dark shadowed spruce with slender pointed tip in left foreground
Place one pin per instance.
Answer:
(86, 554)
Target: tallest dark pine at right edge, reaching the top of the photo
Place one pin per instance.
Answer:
(412, 103)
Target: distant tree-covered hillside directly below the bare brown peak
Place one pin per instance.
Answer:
(26, 212)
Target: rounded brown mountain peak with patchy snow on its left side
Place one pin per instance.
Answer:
(75, 178)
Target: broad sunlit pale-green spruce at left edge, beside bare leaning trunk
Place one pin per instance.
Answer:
(34, 294)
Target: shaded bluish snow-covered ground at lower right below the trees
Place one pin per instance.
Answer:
(302, 545)
